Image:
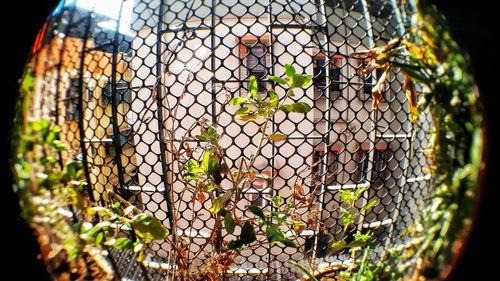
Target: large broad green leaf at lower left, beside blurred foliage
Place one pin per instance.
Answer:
(148, 227)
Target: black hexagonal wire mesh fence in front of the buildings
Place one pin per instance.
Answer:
(117, 75)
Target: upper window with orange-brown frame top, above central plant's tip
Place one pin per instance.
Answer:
(256, 57)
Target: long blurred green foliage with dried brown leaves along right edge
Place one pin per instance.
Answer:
(435, 63)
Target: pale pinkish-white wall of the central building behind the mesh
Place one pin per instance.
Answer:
(189, 90)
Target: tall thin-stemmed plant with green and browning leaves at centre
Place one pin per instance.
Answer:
(203, 169)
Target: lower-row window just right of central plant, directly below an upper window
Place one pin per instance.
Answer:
(331, 161)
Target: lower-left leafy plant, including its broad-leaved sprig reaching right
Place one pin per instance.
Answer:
(56, 204)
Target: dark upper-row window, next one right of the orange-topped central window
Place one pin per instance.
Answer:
(320, 79)
